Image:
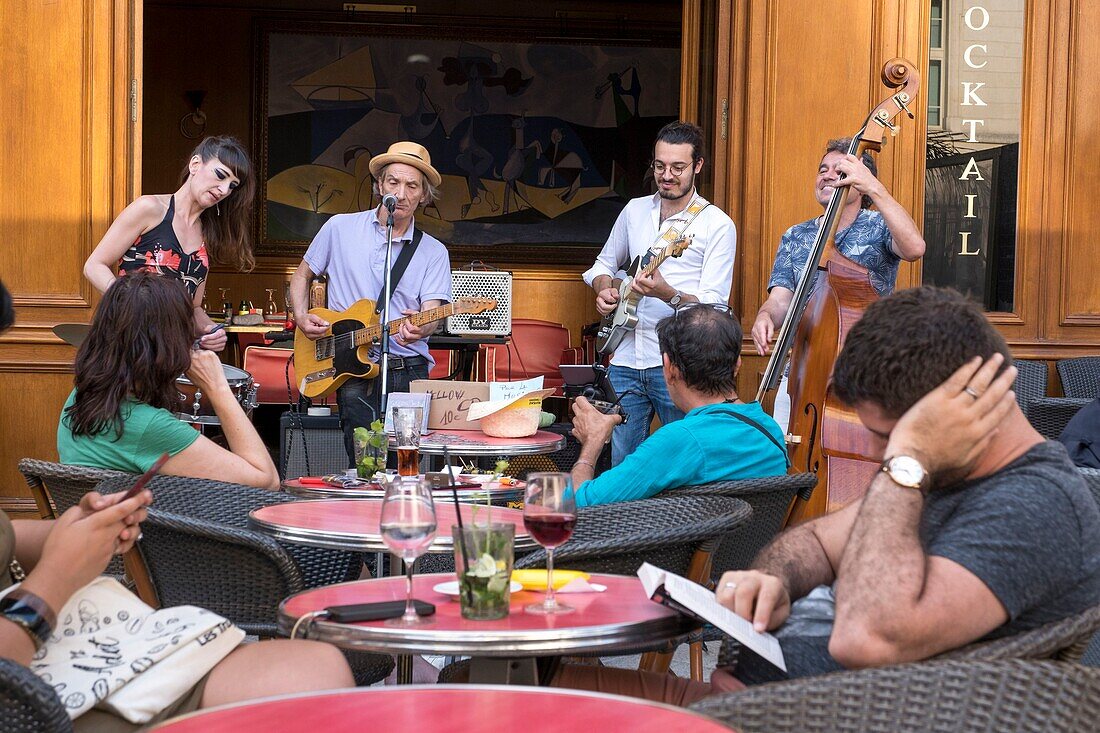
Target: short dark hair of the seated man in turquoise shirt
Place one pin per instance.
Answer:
(705, 344)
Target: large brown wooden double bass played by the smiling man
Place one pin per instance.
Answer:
(826, 436)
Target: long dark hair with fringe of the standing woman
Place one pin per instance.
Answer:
(228, 235)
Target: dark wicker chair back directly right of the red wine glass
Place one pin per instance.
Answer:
(667, 532)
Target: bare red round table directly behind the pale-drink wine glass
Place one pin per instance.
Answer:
(353, 524)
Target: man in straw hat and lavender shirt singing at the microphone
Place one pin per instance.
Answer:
(350, 250)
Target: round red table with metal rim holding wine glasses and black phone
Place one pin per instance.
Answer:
(621, 620)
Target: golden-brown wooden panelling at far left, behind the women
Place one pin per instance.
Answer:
(68, 159)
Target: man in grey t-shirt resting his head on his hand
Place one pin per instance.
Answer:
(976, 528)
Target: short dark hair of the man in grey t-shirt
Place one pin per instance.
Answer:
(909, 344)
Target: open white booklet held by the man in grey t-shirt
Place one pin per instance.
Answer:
(692, 599)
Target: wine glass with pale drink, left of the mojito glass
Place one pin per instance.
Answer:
(409, 526)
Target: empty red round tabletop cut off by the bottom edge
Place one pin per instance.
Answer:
(446, 709)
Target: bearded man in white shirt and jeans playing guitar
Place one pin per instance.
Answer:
(702, 273)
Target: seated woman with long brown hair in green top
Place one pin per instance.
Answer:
(119, 414)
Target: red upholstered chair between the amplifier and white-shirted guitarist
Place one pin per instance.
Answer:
(536, 348)
